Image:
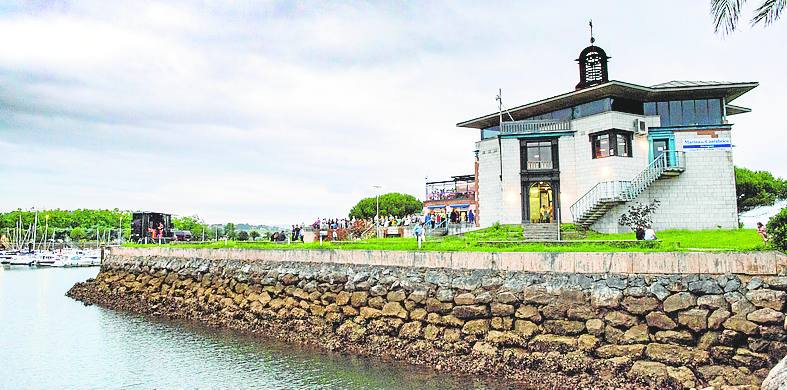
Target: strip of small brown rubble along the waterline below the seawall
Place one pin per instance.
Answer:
(538, 370)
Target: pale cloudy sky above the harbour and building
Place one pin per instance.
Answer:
(279, 112)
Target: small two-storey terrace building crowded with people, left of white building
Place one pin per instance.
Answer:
(458, 194)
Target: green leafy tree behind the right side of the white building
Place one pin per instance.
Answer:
(757, 188)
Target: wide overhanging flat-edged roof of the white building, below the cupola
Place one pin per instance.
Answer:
(672, 90)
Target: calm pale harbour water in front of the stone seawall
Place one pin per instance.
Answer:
(49, 341)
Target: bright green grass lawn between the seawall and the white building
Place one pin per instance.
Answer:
(488, 240)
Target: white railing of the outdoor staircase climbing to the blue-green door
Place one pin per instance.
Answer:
(625, 191)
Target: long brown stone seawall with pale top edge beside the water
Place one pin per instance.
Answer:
(543, 329)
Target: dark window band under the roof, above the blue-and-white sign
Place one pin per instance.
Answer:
(686, 112)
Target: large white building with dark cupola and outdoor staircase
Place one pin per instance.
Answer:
(586, 155)
